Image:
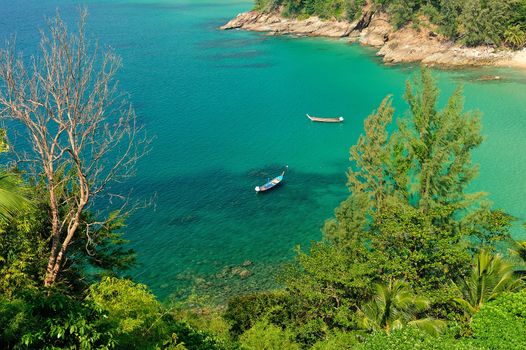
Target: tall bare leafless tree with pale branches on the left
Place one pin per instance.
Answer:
(82, 131)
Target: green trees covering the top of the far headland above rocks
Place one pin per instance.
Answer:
(471, 22)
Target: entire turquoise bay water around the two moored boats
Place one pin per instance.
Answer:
(227, 112)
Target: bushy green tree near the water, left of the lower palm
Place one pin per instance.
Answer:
(329, 282)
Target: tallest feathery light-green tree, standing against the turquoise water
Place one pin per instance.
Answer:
(439, 144)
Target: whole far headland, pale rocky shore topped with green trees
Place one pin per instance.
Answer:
(441, 33)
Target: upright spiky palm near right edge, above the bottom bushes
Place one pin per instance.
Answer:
(490, 276)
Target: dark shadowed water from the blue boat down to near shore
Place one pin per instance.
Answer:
(221, 207)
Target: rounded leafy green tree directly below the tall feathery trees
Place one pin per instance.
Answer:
(425, 250)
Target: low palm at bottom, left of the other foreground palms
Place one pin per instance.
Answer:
(395, 306)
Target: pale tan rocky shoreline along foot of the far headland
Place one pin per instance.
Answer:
(373, 29)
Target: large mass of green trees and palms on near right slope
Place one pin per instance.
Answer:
(411, 257)
